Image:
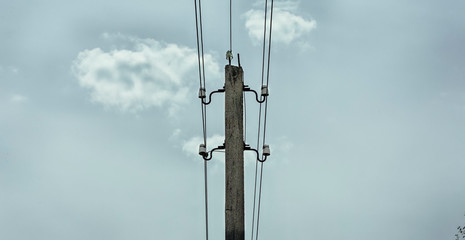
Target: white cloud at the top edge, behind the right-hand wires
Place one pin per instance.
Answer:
(287, 25)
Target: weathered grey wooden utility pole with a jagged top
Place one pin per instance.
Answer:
(234, 146)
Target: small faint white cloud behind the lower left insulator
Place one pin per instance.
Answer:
(191, 147)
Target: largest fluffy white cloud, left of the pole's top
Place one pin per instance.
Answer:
(144, 73)
